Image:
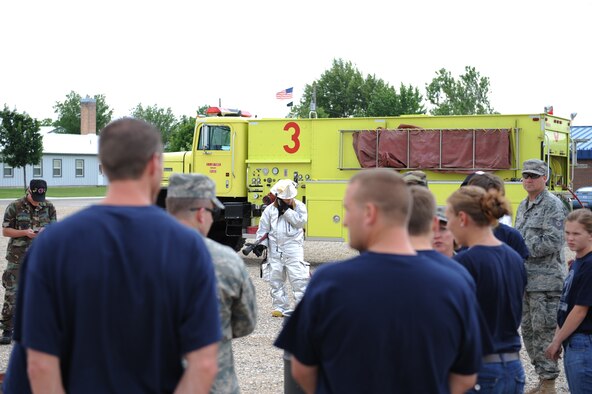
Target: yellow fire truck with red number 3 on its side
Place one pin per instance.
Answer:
(246, 156)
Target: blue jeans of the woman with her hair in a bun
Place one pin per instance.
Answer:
(500, 378)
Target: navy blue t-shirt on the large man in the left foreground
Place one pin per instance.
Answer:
(119, 294)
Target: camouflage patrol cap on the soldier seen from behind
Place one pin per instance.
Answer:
(193, 186)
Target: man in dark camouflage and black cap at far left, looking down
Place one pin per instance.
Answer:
(23, 220)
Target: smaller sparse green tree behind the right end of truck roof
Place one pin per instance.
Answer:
(468, 95)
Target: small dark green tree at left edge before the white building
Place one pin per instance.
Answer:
(20, 140)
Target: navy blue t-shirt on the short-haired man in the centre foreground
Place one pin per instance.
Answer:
(385, 323)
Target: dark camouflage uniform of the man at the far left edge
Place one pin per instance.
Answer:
(20, 215)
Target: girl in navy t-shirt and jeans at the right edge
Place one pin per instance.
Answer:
(574, 319)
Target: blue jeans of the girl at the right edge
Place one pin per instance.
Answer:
(578, 363)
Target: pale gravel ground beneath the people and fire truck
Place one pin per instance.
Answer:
(259, 365)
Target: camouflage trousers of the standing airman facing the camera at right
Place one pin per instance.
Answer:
(539, 320)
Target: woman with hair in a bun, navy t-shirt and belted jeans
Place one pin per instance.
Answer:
(500, 278)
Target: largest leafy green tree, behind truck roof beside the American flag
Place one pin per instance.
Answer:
(342, 91)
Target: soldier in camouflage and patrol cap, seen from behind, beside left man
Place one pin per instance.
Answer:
(192, 200)
